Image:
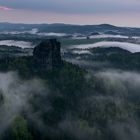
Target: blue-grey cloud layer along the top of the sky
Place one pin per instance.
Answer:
(75, 6)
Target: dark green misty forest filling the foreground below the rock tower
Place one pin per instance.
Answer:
(73, 105)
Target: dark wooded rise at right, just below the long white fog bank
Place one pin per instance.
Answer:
(117, 58)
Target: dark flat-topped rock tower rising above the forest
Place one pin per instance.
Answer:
(47, 56)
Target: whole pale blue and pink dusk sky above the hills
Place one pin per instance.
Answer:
(117, 12)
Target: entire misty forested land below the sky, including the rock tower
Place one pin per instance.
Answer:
(69, 86)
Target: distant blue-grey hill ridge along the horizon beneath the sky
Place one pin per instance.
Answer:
(68, 28)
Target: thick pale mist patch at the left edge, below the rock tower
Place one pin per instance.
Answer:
(16, 94)
